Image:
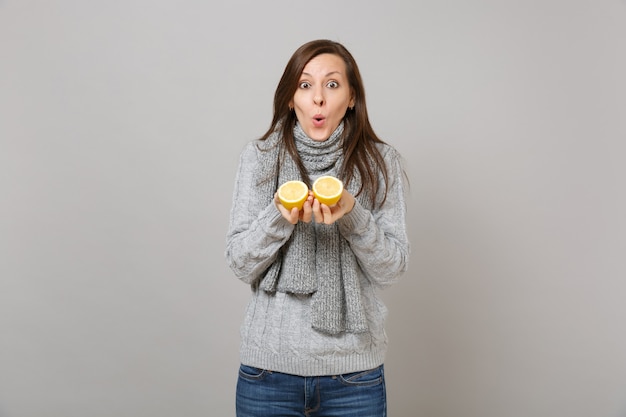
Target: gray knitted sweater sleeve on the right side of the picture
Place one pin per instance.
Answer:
(379, 238)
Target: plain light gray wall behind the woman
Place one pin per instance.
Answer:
(121, 124)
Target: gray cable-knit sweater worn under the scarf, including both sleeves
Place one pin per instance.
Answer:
(276, 333)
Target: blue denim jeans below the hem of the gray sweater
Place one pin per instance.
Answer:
(262, 393)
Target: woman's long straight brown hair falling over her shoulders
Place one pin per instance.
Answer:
(359, 143)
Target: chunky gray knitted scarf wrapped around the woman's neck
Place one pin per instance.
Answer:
(316, 260)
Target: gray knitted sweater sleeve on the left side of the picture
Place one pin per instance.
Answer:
(256, 230)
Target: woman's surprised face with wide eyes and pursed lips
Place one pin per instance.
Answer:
(323, 96)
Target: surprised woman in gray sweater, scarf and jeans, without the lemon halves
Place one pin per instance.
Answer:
(313, 341)
